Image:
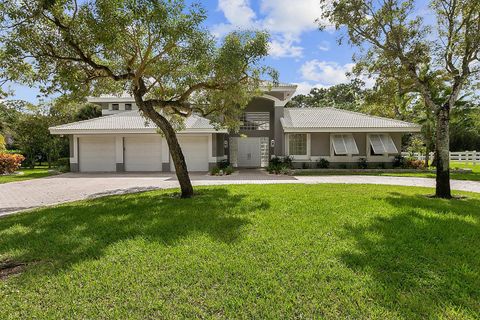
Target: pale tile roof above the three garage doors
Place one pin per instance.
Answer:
(129, 120)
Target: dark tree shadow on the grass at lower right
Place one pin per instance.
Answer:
(423, 260)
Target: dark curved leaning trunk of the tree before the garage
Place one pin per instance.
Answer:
(175, 150)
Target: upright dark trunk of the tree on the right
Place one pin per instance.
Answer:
(442, 153)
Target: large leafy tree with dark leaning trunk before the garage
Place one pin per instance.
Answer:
(156, 50)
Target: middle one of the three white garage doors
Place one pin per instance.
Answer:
(143, 153)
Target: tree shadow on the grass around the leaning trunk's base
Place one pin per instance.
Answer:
(74, 232)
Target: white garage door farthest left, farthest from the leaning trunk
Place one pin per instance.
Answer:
(97, 154)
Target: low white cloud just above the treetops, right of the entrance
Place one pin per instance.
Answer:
(327, 73)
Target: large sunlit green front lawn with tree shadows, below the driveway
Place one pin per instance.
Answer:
(248, 251)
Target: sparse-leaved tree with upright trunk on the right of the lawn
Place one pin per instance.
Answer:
(394, 39)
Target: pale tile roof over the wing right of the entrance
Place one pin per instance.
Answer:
(324, 118)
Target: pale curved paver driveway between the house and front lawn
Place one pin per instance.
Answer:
(24, 195)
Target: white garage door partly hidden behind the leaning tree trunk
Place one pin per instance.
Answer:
(195, 150)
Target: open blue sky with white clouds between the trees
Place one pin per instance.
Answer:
(299, 51)
